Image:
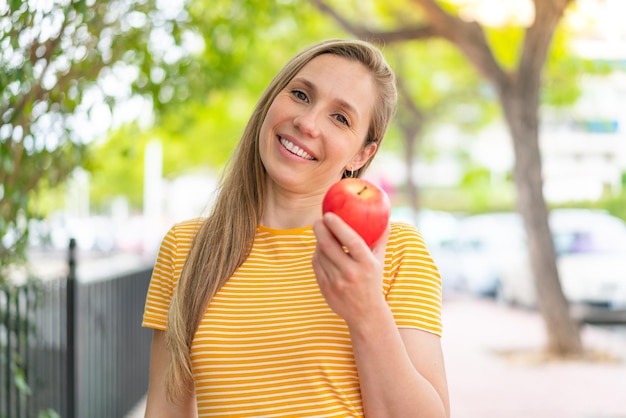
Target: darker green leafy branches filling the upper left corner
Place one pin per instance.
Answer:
(54, 59)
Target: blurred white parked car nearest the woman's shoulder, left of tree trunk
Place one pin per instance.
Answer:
(483, 246)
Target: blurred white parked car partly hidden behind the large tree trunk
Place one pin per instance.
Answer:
(591, 261)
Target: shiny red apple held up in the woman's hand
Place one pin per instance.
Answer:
(361, 204)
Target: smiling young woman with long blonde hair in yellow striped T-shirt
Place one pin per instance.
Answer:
(266, 308)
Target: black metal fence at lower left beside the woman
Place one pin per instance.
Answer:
(73, 349)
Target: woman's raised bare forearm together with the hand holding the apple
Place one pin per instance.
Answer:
(401, 372)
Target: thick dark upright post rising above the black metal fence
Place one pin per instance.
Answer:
(71, 322)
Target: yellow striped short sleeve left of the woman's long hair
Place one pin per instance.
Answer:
(168, 266)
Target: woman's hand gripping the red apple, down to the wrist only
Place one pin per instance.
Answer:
(349, 273)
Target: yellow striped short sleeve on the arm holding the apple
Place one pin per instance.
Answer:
(412, 285)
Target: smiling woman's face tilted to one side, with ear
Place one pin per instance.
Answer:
(316, 127)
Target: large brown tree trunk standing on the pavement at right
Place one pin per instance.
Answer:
(519, 97)
